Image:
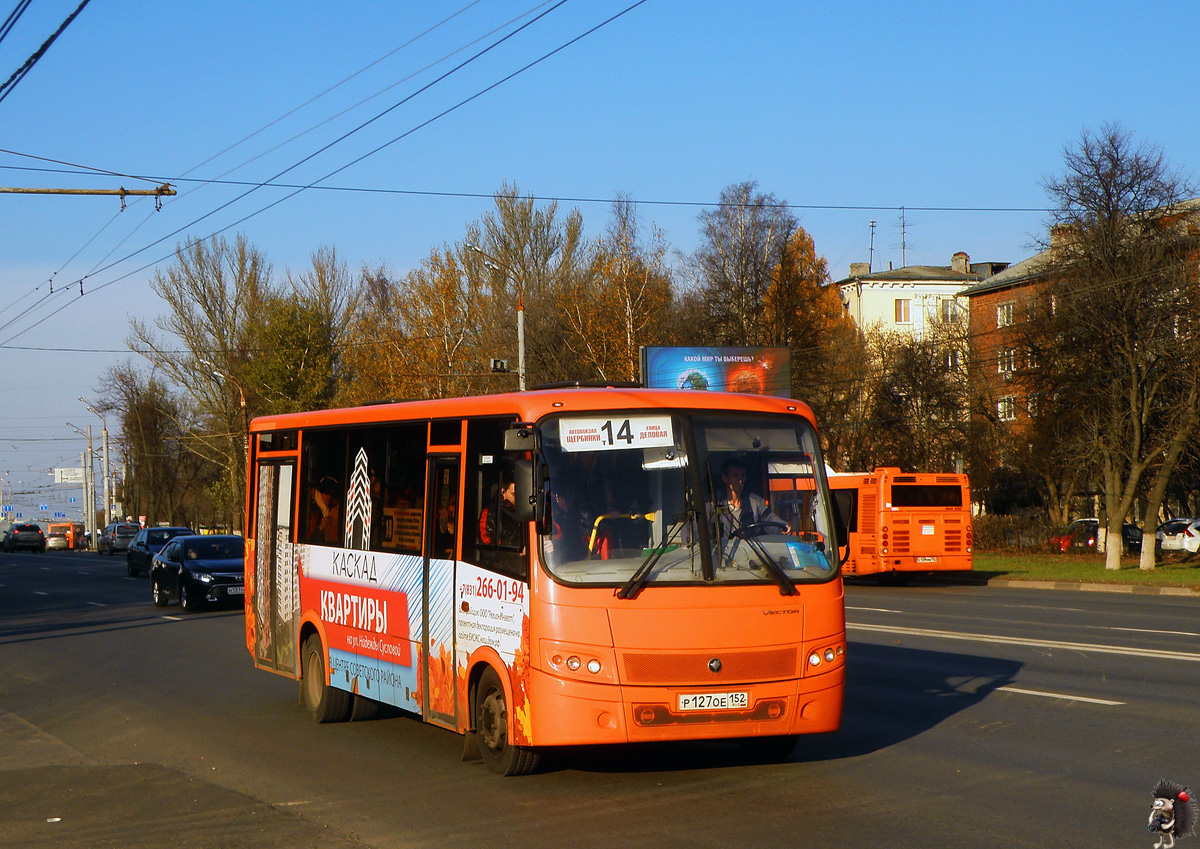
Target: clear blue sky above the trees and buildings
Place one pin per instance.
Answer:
(873, 106)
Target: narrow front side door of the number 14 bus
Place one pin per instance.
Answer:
(440, 696)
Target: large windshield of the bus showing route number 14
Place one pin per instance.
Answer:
(662, 498)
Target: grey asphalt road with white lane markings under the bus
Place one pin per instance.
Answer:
(975, 716)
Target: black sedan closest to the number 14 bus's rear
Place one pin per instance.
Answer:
(199, 571)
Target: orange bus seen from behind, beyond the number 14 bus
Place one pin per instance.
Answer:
(899, 523)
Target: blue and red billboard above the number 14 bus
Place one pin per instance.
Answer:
(758, 371)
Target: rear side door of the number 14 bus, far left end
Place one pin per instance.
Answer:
(275, 592)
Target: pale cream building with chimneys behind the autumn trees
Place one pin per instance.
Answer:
(913, 299)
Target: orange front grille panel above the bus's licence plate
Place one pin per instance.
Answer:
(668, 670)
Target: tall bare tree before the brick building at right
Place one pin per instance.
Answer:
(1119, 321)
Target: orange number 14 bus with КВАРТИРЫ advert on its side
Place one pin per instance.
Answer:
(550, 569)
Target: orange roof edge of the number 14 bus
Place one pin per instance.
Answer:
(532, 406)
